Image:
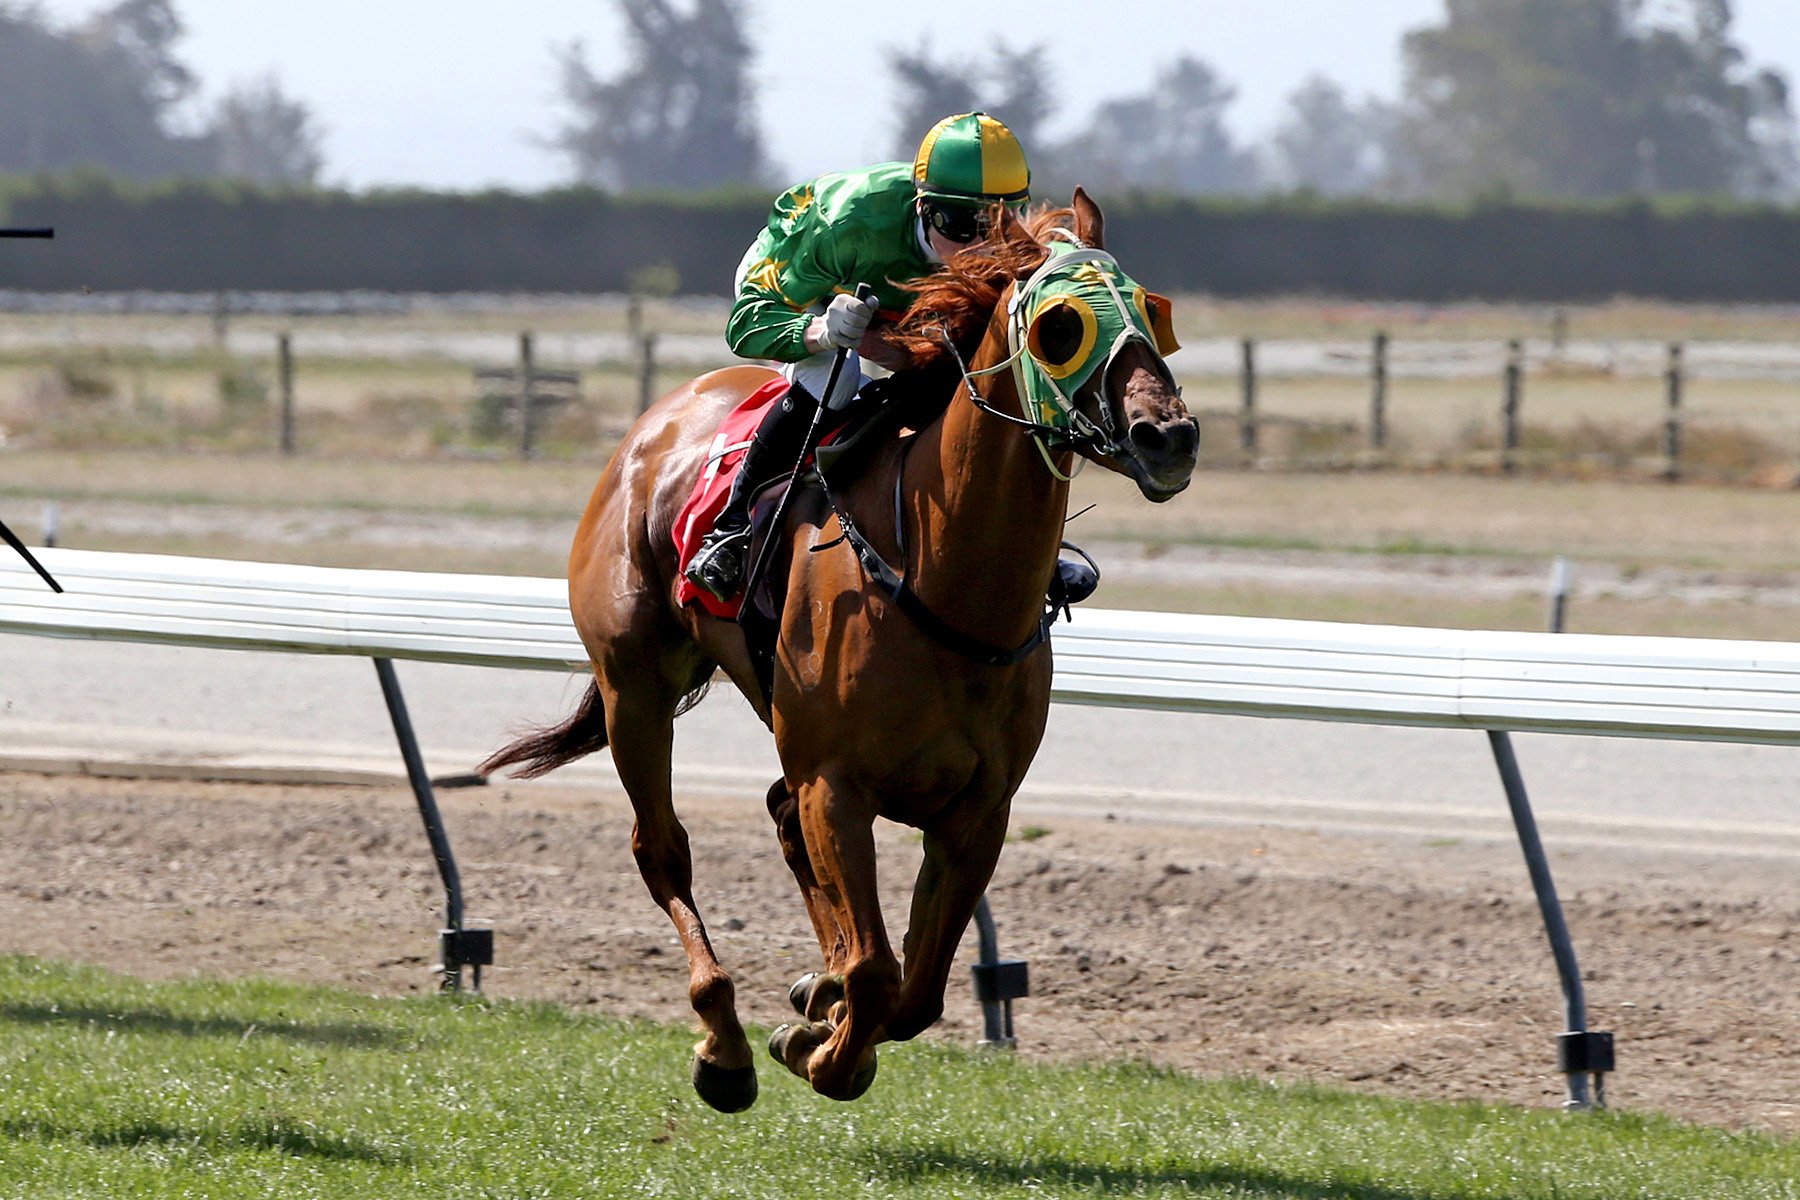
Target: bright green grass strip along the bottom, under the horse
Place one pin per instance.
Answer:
(112, 1088)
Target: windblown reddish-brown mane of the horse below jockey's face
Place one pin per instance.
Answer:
(960, 296)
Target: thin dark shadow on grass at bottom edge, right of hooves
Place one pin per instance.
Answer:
(928, 1165)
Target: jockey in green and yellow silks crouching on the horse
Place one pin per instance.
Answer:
(885, 226)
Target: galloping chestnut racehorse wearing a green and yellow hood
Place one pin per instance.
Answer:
(921, 704)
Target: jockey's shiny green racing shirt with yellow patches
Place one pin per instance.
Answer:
(827, 237)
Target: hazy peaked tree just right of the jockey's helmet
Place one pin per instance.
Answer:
(1169, 139)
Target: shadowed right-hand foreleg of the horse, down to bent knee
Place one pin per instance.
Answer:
(957, 872)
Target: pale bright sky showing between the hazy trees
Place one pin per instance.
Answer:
(460, 94)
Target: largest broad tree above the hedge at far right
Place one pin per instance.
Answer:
(1588, 98)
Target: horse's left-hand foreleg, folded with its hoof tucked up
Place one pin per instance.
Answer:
(838, 1057)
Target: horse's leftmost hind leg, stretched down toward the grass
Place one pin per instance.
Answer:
(642, 731)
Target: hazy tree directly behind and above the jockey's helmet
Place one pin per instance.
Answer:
(1012, 87)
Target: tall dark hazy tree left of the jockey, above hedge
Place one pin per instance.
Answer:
(679, 116)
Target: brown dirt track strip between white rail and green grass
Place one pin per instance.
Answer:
(1407, 967)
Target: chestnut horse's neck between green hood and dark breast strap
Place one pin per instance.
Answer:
(989, 510)
